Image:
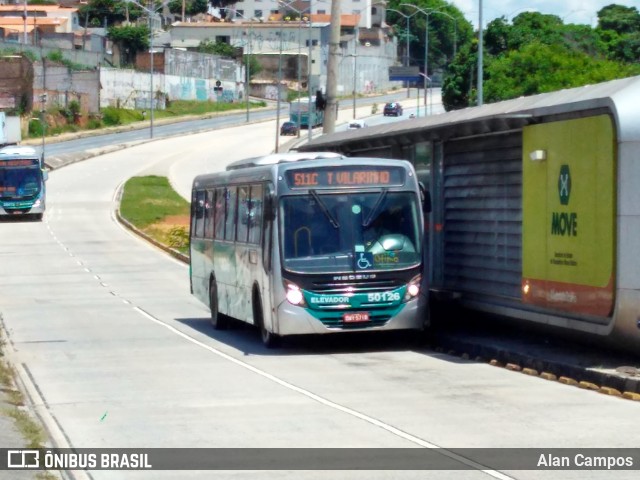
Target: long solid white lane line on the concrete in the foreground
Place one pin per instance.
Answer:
(329, 403)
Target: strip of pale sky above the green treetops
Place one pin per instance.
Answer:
(571, 11)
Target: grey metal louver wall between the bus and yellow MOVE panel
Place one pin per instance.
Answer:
(482, 234)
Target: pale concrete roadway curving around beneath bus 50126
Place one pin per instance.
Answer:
(115, 352)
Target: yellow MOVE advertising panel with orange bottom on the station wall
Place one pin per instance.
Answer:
(568, 225)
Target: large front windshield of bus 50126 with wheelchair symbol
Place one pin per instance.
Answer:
(350, 232)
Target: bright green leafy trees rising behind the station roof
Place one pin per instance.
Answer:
(537, 53)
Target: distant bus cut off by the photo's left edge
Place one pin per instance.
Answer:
(22, 182)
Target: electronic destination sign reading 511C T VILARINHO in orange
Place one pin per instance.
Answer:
(352, 176)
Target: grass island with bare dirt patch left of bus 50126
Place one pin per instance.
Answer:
(153, 207)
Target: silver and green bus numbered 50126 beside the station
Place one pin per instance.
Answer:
(310, 243)
